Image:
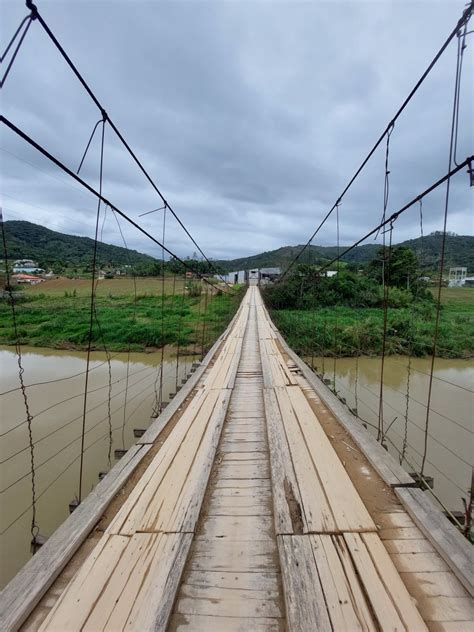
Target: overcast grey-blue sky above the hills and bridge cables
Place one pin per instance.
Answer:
(250, 116)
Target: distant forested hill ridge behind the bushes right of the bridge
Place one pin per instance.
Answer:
(459, 252)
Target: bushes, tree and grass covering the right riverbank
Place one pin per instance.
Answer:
(343, 315)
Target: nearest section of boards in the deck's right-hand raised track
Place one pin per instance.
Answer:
(344, 583)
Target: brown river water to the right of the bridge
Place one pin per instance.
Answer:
(449, 456)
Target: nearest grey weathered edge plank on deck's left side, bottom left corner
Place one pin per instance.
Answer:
(25, 590)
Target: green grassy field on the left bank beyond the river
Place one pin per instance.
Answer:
(56, 314)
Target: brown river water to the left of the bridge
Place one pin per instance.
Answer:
(57, 409)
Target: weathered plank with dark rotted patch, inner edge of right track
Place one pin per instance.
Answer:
(287, 505)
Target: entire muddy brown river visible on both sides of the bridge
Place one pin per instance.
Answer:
(57, 410)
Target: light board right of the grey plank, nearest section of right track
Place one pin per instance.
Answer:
(345, 610)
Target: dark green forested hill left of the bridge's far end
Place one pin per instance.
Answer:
(51, 249)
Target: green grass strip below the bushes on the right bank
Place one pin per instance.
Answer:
(348, 331)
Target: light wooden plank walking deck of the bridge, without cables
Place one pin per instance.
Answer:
(247, 519)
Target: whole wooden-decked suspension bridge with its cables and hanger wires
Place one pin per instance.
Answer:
(256, 499)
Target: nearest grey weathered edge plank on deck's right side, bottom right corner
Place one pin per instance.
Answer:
(455, 550)
